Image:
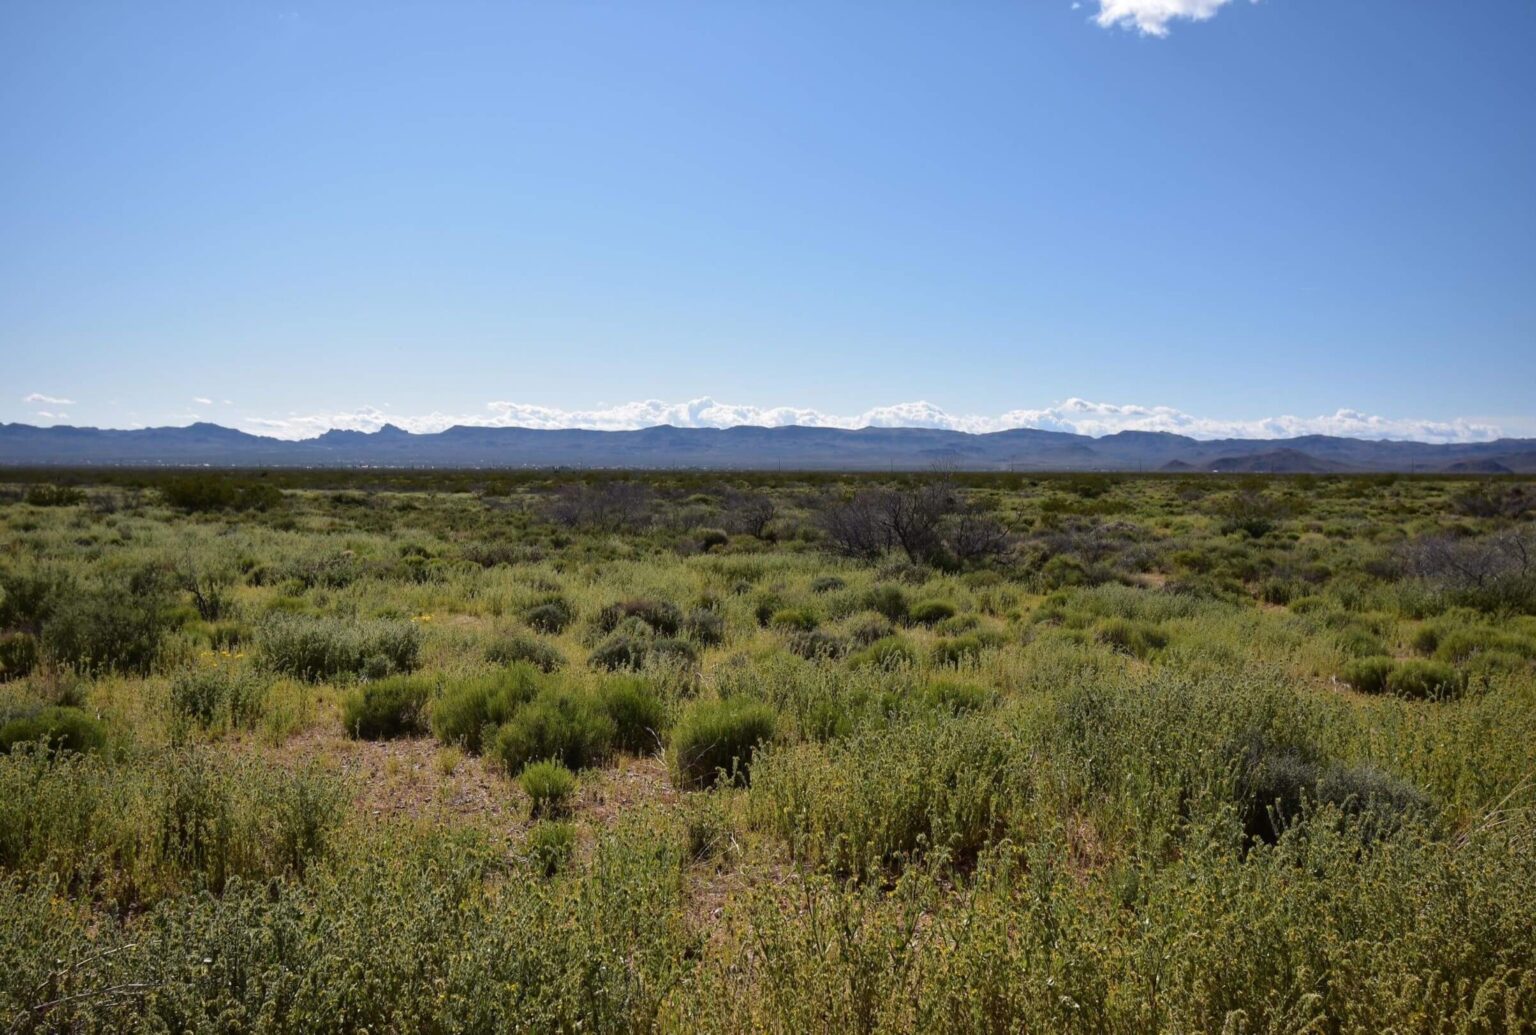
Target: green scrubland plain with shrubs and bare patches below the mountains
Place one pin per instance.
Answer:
(718, 753)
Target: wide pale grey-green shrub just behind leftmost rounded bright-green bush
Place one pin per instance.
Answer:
(319, 649)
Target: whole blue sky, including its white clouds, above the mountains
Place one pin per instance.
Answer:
(288, 217)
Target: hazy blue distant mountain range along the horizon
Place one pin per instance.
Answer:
(755, 449)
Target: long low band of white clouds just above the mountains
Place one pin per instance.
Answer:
(1078, 417)
